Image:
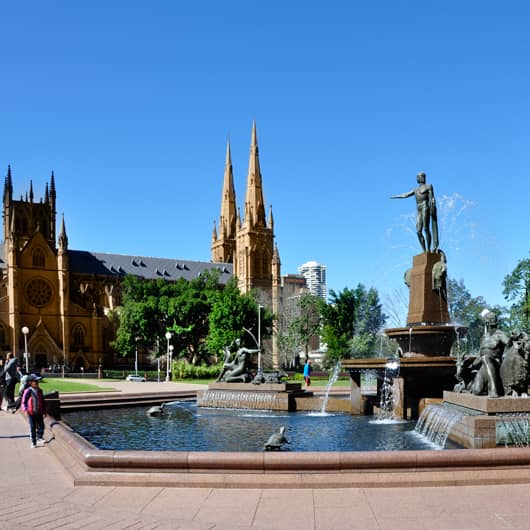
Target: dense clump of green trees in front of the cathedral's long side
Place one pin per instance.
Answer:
(201, 315)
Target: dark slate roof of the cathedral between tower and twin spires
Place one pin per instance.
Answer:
(100, 263)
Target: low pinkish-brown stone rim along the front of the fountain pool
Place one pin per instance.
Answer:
(88, 465)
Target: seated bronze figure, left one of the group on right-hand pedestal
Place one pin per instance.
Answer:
(492, 344)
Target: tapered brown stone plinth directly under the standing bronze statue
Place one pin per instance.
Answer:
(425, 305)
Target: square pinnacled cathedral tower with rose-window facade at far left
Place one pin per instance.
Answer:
(30, 281)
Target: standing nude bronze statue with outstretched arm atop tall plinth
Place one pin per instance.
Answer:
(426, 217)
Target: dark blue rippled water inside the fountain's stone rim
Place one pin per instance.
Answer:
(185, 427)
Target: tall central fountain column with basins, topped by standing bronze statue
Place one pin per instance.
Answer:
(427, 367)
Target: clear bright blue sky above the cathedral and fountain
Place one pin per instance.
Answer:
(131, 104)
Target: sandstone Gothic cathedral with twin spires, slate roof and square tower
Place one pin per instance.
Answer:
(55, 301)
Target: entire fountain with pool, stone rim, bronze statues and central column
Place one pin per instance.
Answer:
(426, 369)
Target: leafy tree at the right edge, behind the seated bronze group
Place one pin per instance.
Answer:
(516, 288)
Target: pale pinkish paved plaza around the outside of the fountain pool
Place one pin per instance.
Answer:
(39, 493)
